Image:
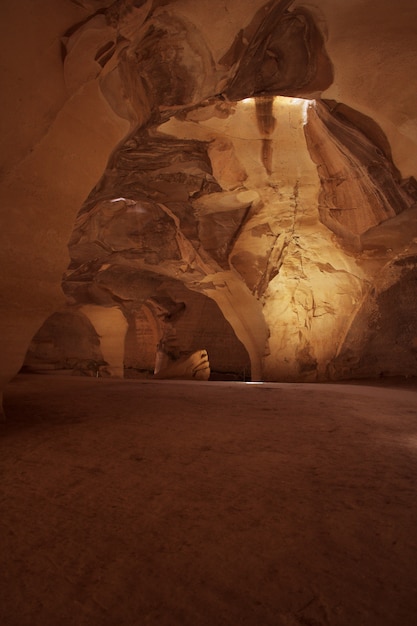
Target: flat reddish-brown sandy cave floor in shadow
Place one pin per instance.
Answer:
(128, 503)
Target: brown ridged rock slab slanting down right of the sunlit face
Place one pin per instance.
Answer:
(360, 186)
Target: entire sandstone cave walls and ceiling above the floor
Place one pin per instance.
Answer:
(257, 157)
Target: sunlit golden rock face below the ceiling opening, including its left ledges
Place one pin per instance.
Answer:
(306, 285)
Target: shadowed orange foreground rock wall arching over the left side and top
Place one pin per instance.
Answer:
(62, 119)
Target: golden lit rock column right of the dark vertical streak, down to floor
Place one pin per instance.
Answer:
(308, 286)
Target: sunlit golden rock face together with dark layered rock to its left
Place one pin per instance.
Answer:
(244, 231)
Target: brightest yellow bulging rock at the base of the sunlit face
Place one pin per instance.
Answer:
(310, 305)
